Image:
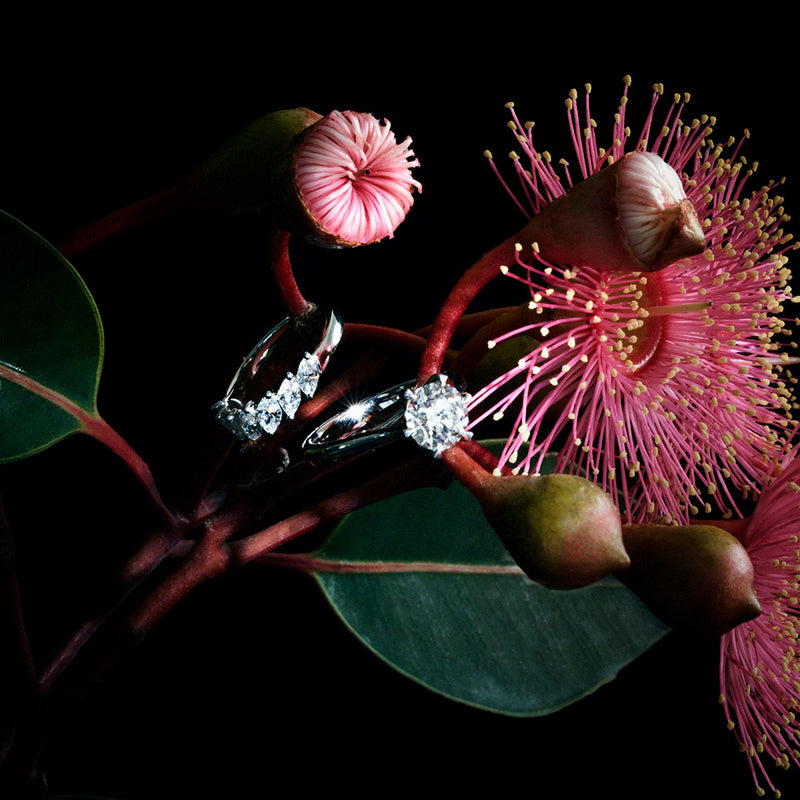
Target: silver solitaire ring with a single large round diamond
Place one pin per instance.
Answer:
(434, 415)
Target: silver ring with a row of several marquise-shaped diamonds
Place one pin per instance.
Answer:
(271, 382)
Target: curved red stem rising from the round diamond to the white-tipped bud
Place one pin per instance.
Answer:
(459, 299)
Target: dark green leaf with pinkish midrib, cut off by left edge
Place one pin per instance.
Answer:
(51, 344)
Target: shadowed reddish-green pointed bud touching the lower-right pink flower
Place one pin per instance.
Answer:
(696, 578)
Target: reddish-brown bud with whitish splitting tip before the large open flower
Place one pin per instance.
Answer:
(632, 215)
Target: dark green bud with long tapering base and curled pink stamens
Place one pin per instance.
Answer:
(340, 180)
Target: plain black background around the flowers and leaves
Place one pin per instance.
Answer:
(252, 687)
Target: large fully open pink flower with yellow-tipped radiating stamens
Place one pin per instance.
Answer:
(665, 387)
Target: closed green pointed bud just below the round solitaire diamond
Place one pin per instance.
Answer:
(562, 530)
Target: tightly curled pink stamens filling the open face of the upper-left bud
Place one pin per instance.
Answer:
(354, 178)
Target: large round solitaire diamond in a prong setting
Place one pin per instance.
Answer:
(436, 415)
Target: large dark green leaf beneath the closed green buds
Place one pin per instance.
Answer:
(424, 582)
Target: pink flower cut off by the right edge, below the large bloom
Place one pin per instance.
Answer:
(760, 659)
